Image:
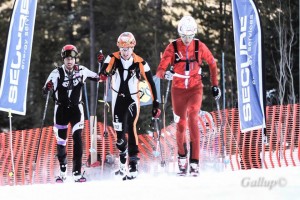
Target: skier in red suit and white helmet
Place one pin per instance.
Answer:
(185, 54)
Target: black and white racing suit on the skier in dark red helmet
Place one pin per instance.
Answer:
(69, 109)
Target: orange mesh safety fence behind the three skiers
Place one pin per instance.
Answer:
(243, 150)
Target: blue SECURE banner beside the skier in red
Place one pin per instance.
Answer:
(248, 55)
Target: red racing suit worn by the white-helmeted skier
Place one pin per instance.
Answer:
(186, 93)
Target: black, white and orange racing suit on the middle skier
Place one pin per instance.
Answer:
(125, 77)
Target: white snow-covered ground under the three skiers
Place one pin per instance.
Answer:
(281, 183)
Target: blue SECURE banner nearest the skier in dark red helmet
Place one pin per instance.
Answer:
(13, 91)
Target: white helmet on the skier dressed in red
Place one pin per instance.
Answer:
(187, 26)
